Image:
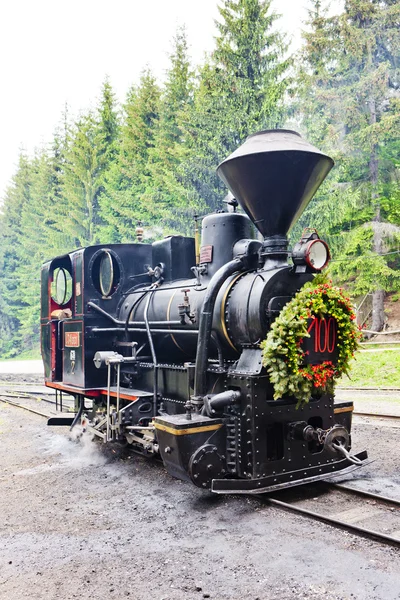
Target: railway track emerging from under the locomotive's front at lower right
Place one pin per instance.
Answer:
(378, 517)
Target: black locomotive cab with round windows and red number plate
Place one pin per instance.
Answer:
(97, 275)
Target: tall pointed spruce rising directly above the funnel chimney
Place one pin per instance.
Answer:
(249, 64)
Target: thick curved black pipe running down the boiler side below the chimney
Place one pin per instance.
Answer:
(205, 326)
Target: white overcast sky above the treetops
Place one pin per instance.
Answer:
(54, 52)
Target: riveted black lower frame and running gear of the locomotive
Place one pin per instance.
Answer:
(251, 445)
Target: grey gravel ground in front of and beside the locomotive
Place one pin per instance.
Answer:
(81, 522)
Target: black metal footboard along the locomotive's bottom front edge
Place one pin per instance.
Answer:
(287, 479)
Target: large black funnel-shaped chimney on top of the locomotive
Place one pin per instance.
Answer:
(273, 175)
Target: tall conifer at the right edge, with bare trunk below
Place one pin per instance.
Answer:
(351, 105)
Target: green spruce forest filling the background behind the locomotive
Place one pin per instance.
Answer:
(153, 158)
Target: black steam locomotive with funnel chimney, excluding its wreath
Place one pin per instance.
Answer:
(160, 343)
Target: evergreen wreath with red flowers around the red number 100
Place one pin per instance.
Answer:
(282, 351)
